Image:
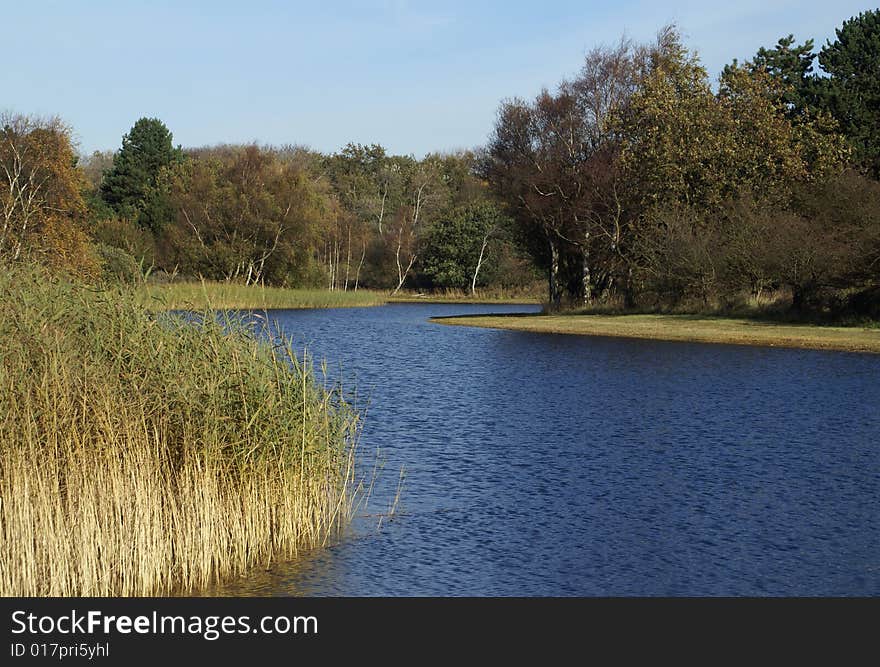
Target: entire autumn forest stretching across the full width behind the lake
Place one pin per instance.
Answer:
(636, 183)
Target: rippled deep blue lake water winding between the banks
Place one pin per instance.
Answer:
(549, 465)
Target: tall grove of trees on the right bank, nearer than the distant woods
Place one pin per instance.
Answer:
(636, 183)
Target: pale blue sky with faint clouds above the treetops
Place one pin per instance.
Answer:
(413, 76)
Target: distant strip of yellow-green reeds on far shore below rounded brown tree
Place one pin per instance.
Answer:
(231, 296)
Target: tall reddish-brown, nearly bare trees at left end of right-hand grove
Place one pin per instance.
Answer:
(556, 160)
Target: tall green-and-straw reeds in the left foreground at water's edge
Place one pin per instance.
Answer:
(145, 455)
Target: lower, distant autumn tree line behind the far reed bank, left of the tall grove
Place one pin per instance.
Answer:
(283, 216)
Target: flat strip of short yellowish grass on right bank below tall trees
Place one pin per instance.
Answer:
(690, 328)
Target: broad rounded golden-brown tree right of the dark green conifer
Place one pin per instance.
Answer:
(244, 213)
